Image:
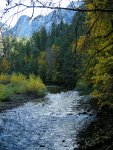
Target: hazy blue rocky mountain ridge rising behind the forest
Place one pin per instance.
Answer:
(25, 27)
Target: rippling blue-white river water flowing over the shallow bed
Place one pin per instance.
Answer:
(52, 124)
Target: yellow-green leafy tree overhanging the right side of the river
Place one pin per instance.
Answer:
(97, 48)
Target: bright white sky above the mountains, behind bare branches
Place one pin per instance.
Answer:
(11, 20)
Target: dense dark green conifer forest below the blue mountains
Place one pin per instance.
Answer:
(47, 54)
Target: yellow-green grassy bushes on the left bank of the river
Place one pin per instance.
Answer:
(18, 83)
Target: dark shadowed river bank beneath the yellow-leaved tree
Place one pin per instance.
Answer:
(99, 134)
